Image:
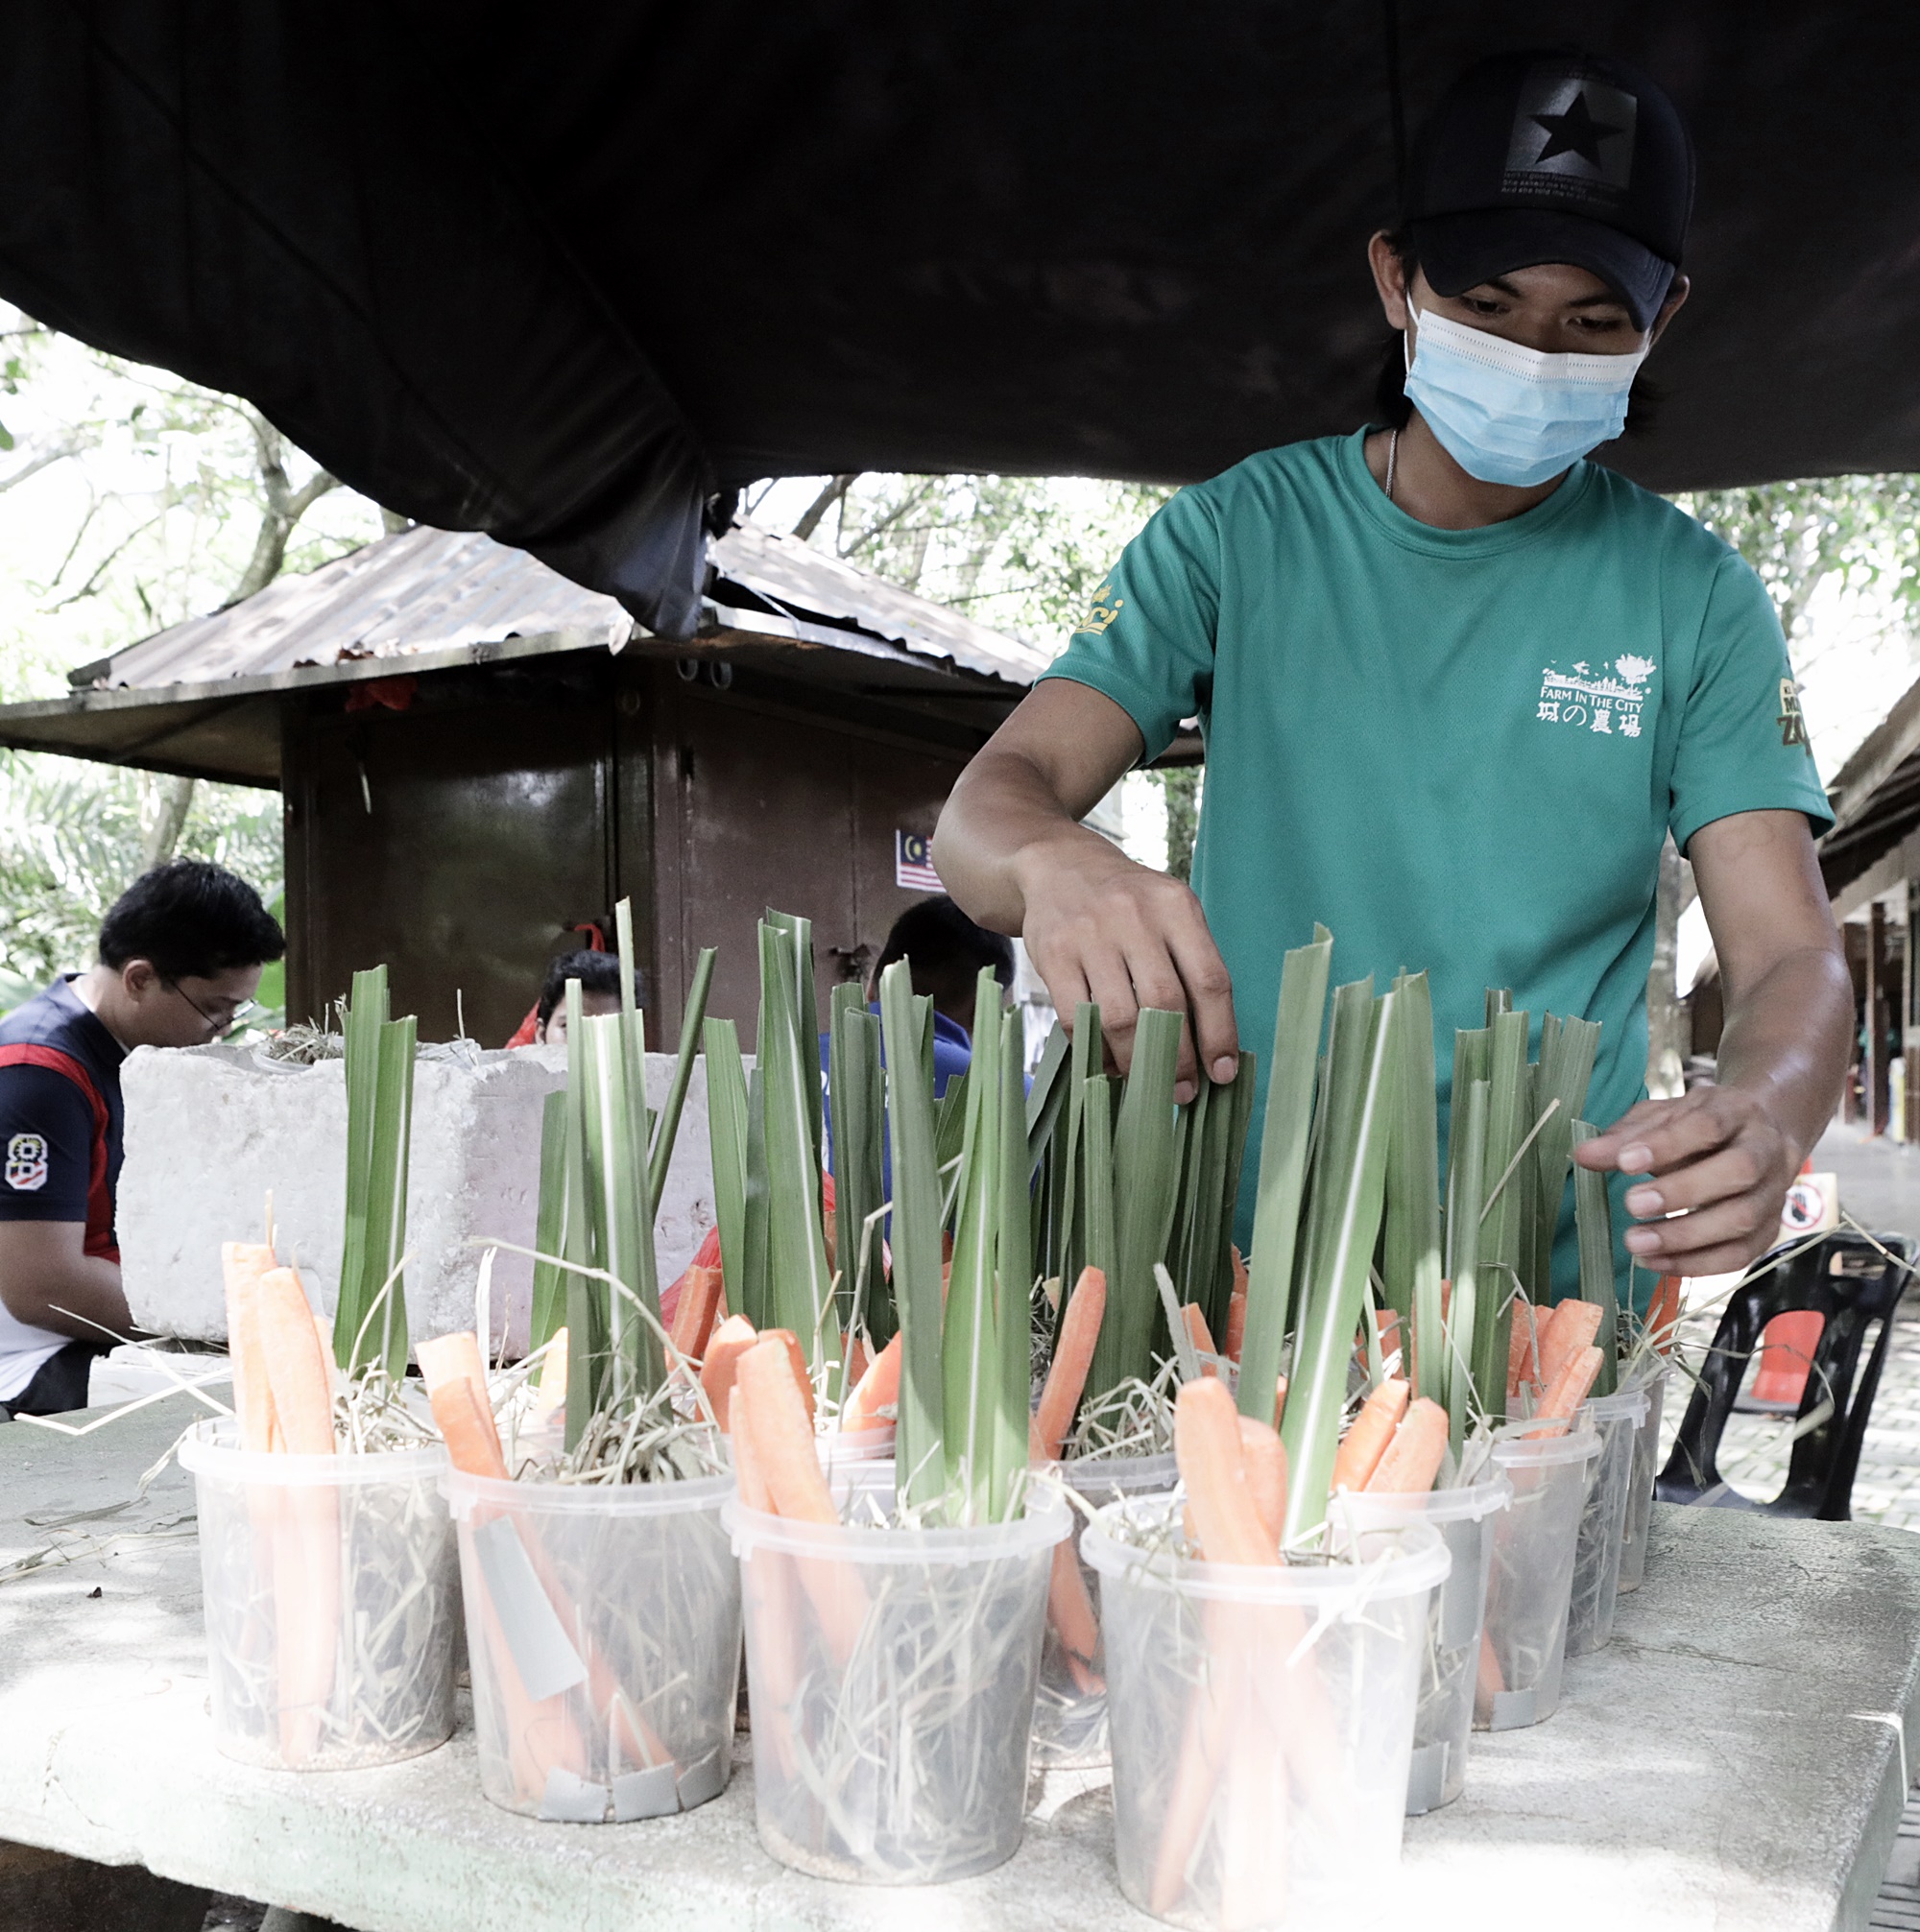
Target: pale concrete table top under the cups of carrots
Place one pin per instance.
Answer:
(1734, 1761)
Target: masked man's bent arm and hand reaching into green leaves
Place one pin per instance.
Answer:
(1017, 859)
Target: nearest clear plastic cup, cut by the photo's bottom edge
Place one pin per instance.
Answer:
(1262, 1722)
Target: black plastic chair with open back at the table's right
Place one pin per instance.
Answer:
(1848, 1282)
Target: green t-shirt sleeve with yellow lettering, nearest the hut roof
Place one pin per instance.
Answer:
(1148, 640)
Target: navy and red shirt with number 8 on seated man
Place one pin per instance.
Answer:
(61, 1116)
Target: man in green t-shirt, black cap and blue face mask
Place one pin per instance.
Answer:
(1457, 687)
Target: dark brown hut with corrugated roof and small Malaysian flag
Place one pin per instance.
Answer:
(480, 756)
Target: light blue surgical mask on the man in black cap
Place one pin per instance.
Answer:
(1510, 414)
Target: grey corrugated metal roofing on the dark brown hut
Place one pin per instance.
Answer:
(428, 590)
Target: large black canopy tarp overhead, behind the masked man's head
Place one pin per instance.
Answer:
(565, 273)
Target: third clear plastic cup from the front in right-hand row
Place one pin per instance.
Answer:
(1531, 1585)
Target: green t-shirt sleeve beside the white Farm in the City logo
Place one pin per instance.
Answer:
(1743, 739)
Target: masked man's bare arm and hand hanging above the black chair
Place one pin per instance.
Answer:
(1724, 1158)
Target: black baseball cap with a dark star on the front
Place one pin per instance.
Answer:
(1554, 157)
